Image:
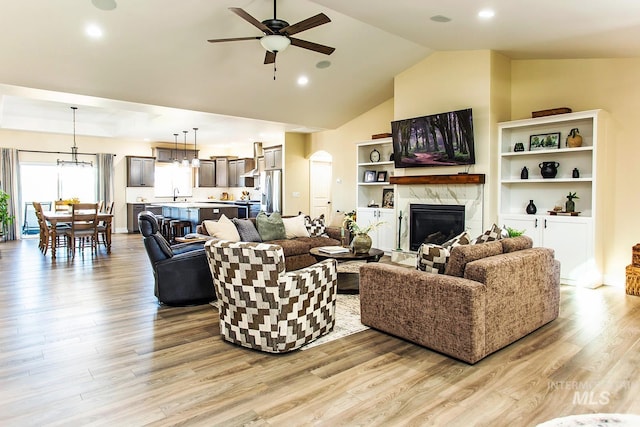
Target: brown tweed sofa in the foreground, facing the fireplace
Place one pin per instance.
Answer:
(491, 295)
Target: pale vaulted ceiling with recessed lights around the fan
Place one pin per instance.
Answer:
(152, 73)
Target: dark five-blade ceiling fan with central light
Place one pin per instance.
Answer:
(277, 33)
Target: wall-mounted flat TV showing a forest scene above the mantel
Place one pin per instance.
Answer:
(444, 139)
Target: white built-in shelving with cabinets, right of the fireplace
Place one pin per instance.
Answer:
(576, 239)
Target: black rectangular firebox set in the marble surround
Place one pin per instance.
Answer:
(434, 223)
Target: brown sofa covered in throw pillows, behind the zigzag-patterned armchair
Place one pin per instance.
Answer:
(296, 250)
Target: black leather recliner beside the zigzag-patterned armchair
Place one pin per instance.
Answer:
(181, 271)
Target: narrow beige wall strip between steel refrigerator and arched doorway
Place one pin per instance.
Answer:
(296, 177)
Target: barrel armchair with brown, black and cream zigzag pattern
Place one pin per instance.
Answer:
(262, 306)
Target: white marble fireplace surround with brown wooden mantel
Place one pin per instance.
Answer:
(460, 189)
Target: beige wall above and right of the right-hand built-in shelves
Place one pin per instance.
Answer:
(585, 84)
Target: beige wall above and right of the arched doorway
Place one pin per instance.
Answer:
(341, 144)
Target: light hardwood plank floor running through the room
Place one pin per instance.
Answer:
(85, 342)
